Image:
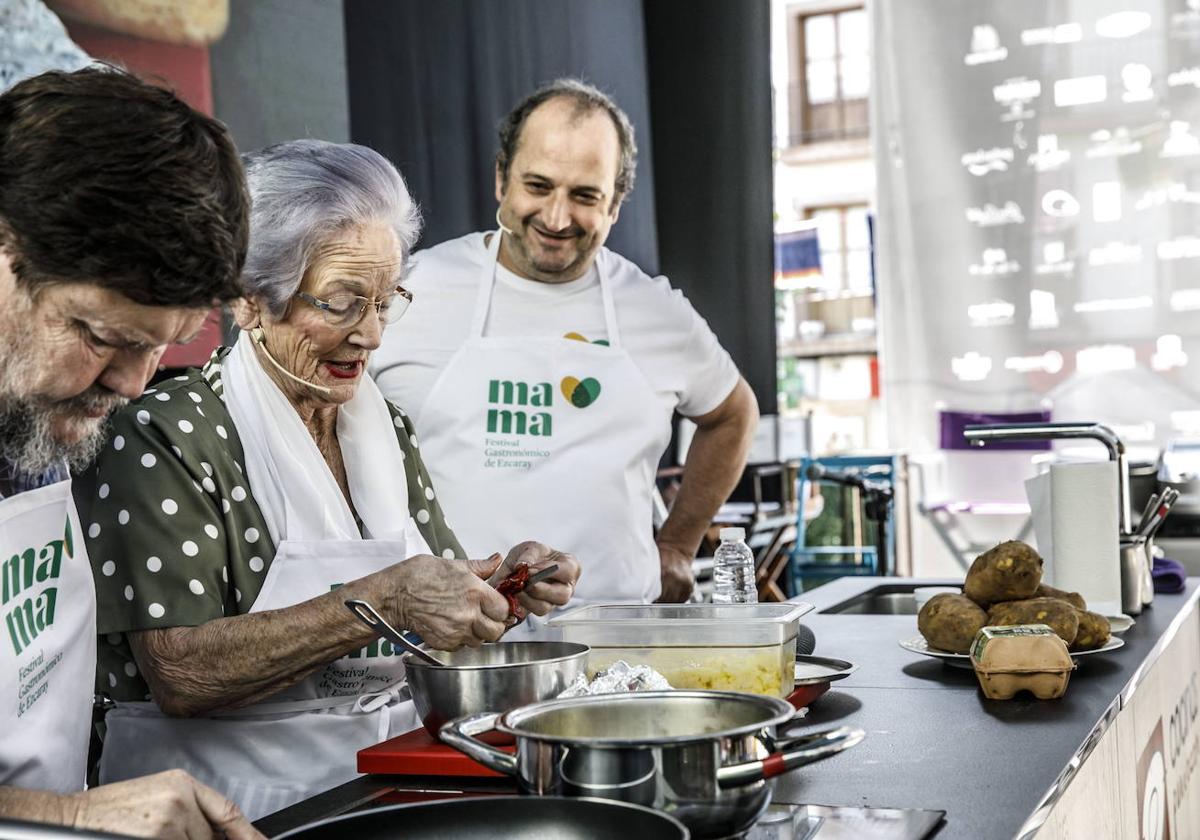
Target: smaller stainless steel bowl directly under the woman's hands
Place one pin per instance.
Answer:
(491, 677)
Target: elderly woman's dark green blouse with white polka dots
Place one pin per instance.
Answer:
(173, 531)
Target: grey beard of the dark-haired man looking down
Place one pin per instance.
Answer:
(28, 446)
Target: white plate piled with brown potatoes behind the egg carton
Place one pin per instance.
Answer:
(1004, 589)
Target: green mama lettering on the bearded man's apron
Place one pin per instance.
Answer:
(28, 614)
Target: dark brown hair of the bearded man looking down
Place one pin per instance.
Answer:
(110, 181)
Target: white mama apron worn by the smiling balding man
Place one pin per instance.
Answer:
(550, 440)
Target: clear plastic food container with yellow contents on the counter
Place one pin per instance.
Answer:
(735, 647)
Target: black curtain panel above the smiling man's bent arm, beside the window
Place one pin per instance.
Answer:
(710, 82)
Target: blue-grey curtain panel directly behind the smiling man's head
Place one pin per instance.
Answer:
(431, 80)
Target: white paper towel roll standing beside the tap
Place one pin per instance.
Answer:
(1077, 525)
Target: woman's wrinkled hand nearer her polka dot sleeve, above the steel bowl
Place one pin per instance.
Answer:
(448, 603)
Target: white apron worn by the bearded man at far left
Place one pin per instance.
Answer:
(47, 641)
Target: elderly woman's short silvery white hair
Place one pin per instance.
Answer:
(307, 191)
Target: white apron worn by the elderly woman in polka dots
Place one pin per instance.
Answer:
(299, 742)
